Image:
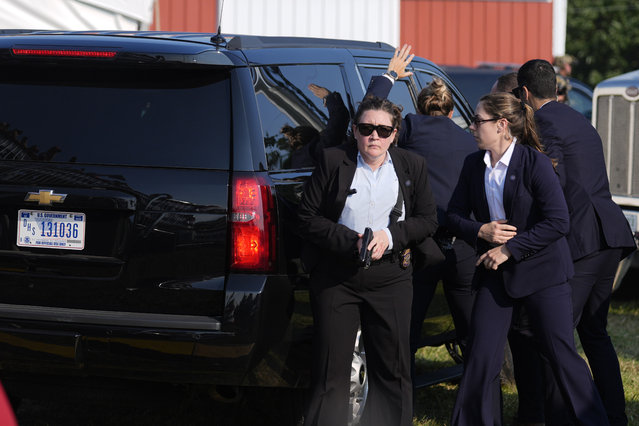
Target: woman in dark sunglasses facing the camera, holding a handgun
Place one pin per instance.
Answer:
(368, 183)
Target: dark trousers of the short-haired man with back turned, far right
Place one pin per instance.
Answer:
(591, 289)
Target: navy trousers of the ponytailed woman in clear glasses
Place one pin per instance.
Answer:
(550, 311)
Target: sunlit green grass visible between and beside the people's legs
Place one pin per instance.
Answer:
(434, 404)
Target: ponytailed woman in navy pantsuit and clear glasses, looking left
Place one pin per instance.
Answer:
(510, 205)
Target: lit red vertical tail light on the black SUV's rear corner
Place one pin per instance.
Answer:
(252, 225)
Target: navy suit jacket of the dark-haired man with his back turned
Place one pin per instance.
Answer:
(596, 221)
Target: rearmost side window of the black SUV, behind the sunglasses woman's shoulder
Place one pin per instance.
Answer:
(291, 115)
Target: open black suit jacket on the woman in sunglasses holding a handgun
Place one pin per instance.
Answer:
(325, 196)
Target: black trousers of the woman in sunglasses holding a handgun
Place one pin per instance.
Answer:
(379, 298)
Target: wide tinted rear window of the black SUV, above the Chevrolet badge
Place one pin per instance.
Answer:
(151, 117)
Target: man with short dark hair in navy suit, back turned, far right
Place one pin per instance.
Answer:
(599, 233)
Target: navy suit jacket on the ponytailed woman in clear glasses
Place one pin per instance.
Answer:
(534, 203)
